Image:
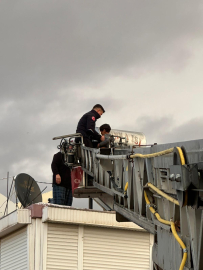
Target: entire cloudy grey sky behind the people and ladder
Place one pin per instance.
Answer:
(141, 59)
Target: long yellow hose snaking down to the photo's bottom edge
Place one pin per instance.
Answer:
(171, 223)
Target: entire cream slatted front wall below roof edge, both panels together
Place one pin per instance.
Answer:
(95, 248)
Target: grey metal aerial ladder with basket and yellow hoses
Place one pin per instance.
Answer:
(158, 187)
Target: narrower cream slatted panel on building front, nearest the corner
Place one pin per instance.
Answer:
(62, 247)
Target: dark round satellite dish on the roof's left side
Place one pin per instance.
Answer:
(27, 190)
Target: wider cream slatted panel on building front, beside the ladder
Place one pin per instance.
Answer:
(115, 249)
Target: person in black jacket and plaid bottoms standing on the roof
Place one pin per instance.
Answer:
(62, 192)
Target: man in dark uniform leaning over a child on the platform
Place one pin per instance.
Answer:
(86, 126)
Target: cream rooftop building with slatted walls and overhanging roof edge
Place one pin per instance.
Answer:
(51, 237)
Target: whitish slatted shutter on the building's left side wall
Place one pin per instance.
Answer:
(14, 251)
